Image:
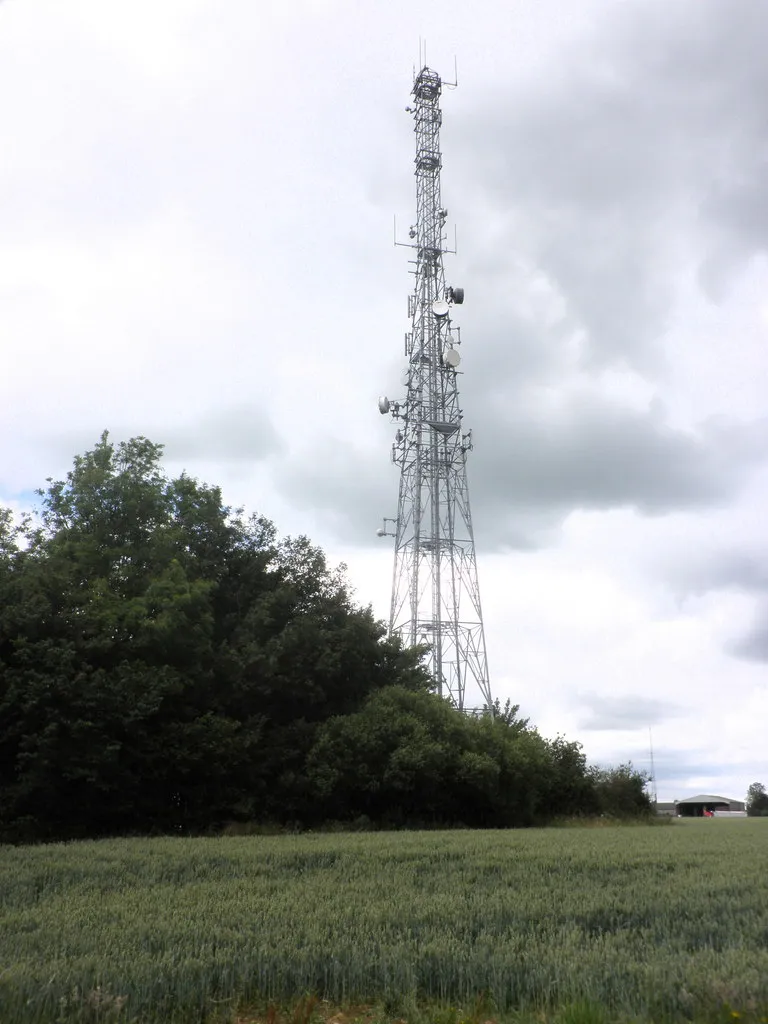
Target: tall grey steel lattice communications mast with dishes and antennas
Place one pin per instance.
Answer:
(436, 596)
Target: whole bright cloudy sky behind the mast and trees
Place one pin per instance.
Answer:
(196, 245)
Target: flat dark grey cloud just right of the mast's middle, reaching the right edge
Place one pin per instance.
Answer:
(595, 455)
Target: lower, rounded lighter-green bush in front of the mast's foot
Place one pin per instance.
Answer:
(411, 758)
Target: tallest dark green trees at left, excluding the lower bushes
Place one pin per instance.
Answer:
(164, 662)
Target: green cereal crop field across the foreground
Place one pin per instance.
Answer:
(647, 923)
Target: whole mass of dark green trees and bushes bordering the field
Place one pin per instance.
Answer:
(166, 664)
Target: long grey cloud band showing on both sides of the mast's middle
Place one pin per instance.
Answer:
(532, 467)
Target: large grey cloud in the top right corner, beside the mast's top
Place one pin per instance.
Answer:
(645, 155)
